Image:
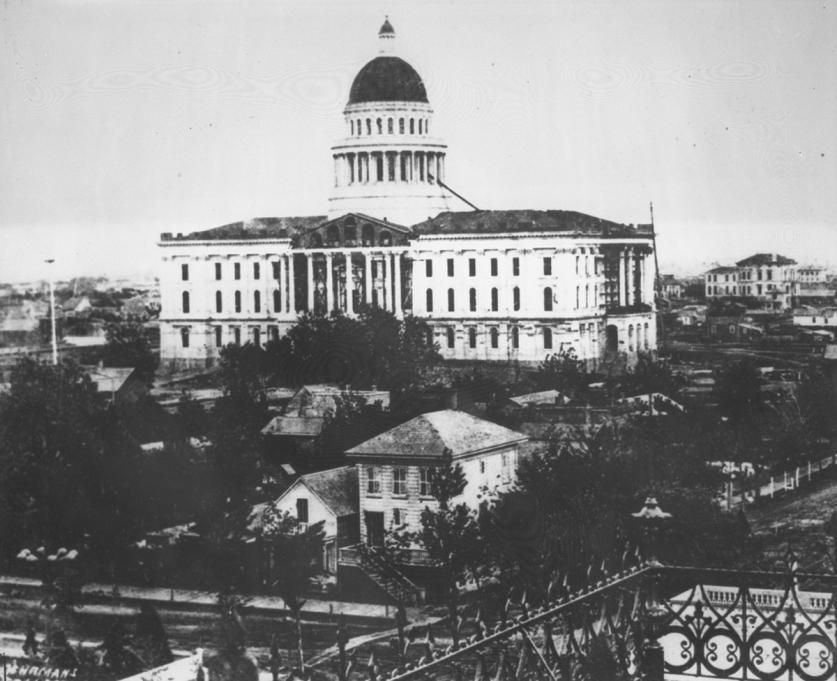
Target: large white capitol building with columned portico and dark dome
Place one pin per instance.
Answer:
(494, 285)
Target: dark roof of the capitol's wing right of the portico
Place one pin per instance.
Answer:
(510, 221)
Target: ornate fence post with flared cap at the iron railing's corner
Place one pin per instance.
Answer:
(652, 664)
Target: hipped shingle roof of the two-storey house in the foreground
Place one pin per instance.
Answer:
(427, 437)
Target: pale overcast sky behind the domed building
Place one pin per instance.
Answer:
(123, 119)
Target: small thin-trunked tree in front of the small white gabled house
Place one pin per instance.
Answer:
(298, 550)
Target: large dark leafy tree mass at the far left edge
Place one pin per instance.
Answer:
(68, 464)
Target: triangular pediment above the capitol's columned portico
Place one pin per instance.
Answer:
(353, 230)
